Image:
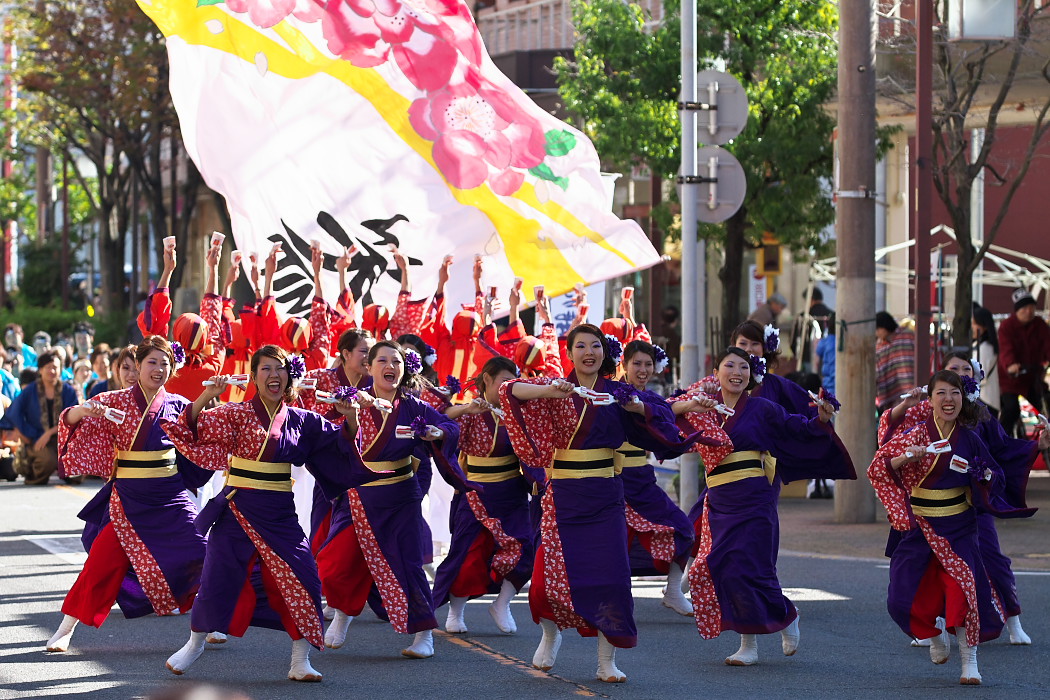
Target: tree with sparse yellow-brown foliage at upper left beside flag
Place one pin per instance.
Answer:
(94, 81)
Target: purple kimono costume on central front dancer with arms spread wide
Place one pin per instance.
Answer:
(582, 578)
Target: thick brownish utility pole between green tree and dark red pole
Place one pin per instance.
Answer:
(855, 247)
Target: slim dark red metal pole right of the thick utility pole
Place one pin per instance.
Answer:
(923, 183)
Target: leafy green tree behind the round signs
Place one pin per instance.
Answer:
(623, 82)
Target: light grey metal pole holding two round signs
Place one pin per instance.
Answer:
(692, 295)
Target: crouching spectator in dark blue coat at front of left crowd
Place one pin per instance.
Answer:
(35, 415)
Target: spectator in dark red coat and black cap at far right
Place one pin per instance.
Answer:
(1024, 352)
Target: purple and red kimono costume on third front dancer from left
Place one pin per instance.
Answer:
(376, 540)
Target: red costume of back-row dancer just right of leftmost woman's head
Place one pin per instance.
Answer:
(202, 340)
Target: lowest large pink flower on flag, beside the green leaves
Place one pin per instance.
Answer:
(479, 136)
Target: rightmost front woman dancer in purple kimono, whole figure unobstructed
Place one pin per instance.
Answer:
(931, 480)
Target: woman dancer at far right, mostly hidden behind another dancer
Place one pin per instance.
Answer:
(1014, 457)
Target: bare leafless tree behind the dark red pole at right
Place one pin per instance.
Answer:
(974, 82)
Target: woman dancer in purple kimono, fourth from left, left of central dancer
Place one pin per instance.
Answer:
(492, 547)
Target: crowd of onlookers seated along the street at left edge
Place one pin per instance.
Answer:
(38, 380)
